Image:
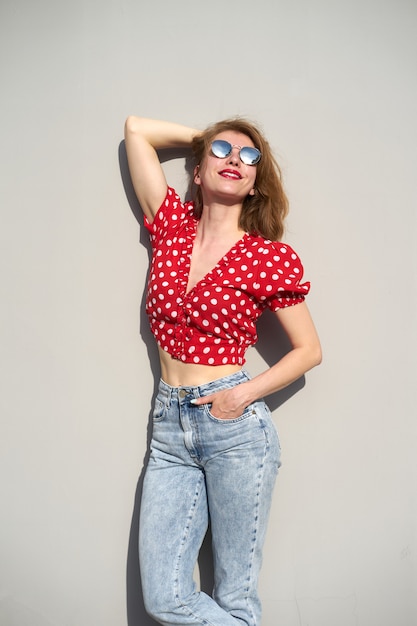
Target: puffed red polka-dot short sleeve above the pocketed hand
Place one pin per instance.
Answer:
(280, 278)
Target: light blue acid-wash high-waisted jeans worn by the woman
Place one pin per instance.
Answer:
(206, 470)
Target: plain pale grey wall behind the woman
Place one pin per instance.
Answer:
(334, 86)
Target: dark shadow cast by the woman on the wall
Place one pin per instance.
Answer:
(272, 345)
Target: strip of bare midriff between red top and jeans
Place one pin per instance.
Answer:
(178, 374)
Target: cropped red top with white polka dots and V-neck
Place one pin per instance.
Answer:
(214, 323)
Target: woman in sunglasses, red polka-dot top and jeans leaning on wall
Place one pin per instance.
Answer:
(214, 452)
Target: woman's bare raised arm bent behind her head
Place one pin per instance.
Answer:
(143, 137)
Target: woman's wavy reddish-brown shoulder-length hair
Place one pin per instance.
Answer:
(264, 212)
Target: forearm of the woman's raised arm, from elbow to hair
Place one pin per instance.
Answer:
(159, 133)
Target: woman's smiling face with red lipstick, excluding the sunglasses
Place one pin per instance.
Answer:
(226, 179)
